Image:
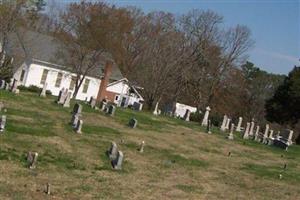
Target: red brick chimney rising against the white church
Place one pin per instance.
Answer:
(102, 93)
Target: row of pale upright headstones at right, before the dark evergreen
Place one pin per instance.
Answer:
(249, 133)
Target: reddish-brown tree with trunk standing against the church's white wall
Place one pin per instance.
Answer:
(86, 32)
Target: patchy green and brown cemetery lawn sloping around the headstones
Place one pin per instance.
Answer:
(180, 161)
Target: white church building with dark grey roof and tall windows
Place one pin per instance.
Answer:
(39, 66)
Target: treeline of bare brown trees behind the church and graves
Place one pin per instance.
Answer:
(192, 58)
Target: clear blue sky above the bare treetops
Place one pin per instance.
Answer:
(274, 24)
